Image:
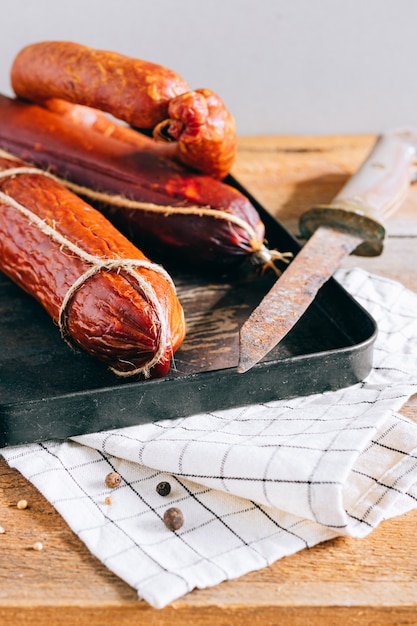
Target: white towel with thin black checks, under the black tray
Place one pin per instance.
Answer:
(254, 483)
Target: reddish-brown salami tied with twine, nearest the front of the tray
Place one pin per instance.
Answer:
(105, 295)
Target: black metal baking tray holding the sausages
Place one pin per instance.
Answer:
(47, 391)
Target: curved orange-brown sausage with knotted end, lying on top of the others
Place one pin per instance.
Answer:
(143, 94)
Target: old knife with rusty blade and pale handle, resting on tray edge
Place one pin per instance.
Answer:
(352, 223)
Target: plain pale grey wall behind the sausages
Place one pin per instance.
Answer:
(281, 66)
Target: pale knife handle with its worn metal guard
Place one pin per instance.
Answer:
(373, 193)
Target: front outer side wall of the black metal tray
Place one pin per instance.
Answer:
(260, 373)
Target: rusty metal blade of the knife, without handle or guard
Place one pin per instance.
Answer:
(293, 292)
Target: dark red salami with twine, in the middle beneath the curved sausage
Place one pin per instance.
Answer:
(161, 204)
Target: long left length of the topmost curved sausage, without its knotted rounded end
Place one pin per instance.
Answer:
(132, 90)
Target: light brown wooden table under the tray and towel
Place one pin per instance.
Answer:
(343, 581)
